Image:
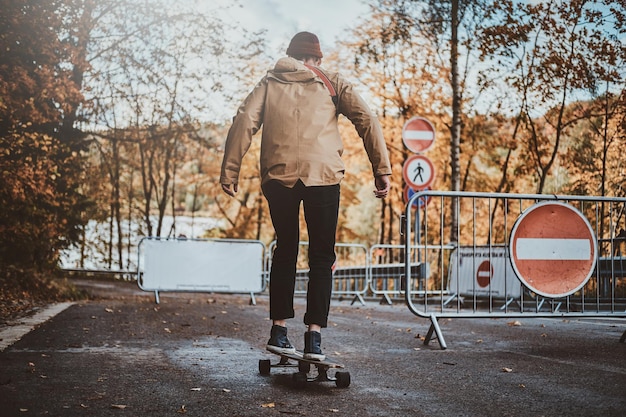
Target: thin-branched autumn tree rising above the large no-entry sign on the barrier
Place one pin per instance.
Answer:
(550, 54)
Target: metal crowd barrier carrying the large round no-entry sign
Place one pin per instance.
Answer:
(514, 255)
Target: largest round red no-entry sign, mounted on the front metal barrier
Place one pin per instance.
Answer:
(553, 249)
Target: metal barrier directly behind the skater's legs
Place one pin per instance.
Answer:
(350, 273)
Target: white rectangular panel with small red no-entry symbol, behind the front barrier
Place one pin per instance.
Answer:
(482, 271)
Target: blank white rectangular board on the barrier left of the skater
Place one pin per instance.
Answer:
(201, 265)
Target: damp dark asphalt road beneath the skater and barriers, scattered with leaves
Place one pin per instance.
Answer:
(197, 354)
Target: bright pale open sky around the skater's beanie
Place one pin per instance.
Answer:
(282, 19)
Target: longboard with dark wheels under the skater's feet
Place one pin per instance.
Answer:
(304, 375)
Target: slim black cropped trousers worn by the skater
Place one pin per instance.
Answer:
(321, 207)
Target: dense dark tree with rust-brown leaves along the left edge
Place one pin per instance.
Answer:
(39, 145)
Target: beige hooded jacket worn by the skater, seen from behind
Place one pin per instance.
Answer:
(300, 138)
